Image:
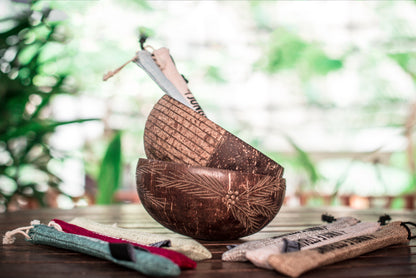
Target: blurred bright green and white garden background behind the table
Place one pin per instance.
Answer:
(326, 88)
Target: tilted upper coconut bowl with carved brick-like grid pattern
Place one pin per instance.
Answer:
(175, 132)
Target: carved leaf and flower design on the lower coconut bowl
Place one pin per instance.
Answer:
(250, 205)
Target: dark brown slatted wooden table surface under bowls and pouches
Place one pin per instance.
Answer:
(22, 259)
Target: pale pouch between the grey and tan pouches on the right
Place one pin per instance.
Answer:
(260, 256)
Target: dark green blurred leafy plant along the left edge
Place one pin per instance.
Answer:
(32, 71)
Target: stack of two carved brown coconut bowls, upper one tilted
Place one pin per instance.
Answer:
(200, 180)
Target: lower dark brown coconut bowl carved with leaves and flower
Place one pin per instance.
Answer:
(208, 203)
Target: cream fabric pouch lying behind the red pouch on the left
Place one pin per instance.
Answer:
(186, 246)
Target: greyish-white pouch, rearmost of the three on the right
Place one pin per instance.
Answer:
(238, 254)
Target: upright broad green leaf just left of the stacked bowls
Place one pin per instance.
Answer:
(109, 178)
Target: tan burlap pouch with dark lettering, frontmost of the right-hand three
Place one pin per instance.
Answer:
(296, 263)
